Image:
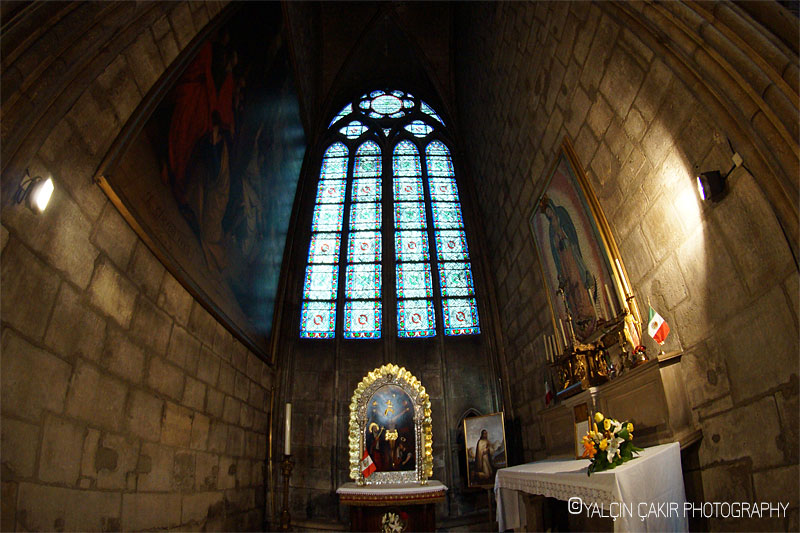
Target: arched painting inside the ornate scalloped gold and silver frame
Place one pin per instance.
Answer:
(389, 437)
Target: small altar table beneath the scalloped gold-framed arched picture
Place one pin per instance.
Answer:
(415, 504)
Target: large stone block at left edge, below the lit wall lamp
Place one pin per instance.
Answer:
(29, 290)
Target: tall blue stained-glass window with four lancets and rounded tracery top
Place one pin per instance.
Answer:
(412, 239)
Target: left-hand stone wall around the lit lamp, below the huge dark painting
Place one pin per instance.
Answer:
(125, 404)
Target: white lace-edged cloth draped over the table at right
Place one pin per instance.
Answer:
(640, 485)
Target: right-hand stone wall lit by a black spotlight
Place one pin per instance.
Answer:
(722, 275)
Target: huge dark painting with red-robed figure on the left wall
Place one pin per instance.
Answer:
(210, 177)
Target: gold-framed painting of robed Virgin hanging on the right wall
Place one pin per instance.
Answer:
(575, 264)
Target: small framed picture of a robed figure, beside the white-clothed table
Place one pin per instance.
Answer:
(485, 441)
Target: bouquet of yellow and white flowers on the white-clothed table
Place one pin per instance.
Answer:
(610, 445)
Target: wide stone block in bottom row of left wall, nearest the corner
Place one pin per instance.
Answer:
(49, 508)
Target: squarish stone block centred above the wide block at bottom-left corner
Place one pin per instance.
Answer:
(62, 444)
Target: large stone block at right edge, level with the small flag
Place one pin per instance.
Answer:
(765, 327)
